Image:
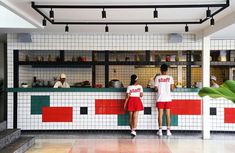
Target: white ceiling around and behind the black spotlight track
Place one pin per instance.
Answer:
(24, 10)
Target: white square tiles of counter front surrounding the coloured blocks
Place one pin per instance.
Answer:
(26, 121)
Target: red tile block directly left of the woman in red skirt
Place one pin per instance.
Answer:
(109, 106)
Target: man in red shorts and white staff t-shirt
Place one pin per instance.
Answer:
(164, 85)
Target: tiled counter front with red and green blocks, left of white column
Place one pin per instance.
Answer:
(79, 109)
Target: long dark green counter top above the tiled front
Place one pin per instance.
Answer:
(90, 90)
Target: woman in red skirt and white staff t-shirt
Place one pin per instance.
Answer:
(133, 102)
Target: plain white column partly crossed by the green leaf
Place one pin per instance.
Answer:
(206, 83)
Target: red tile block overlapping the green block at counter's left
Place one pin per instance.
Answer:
(57, 114)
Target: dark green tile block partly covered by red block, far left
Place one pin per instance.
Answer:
(38, 102)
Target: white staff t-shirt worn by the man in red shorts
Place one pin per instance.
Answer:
(163, 84)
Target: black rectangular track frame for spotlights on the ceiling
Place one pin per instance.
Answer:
(219, 7)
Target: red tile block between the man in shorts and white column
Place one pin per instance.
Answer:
(186, 107)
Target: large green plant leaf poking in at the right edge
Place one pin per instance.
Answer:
(226, 90)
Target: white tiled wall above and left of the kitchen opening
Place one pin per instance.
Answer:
(47, 41)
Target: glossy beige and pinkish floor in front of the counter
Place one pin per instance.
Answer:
(137, 145)
